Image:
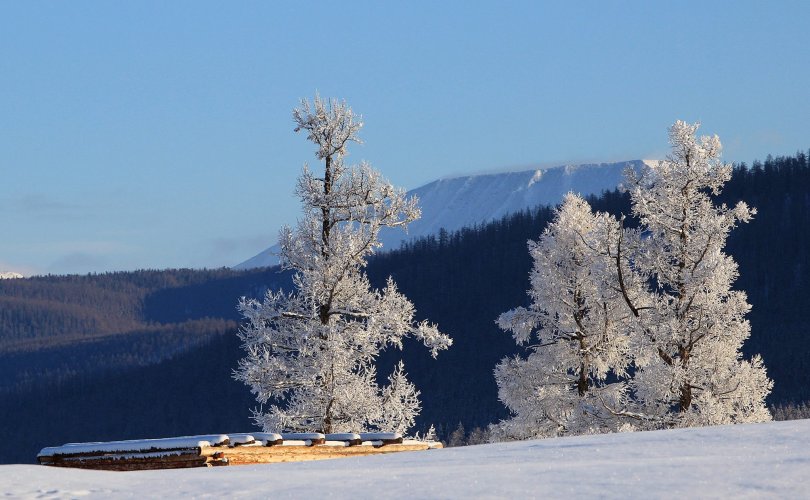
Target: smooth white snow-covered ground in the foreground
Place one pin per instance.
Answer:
(752, 461)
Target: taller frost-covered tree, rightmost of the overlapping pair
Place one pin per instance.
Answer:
(692, 371)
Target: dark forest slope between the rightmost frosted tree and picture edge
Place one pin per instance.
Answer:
(773, 253)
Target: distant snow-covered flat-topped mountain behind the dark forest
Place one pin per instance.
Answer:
(458, 202)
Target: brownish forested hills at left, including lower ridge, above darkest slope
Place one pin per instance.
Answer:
(58, 327)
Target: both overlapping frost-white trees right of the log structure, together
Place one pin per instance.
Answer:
(632, 331)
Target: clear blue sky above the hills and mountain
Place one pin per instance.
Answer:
(158, 134)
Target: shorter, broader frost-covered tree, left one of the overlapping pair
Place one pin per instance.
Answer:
(572, 382)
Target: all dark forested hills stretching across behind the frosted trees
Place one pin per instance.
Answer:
(150, 353)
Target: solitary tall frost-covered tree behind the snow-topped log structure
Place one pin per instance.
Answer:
(311, 353)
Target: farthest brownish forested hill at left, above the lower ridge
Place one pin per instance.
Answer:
(43, 310)
